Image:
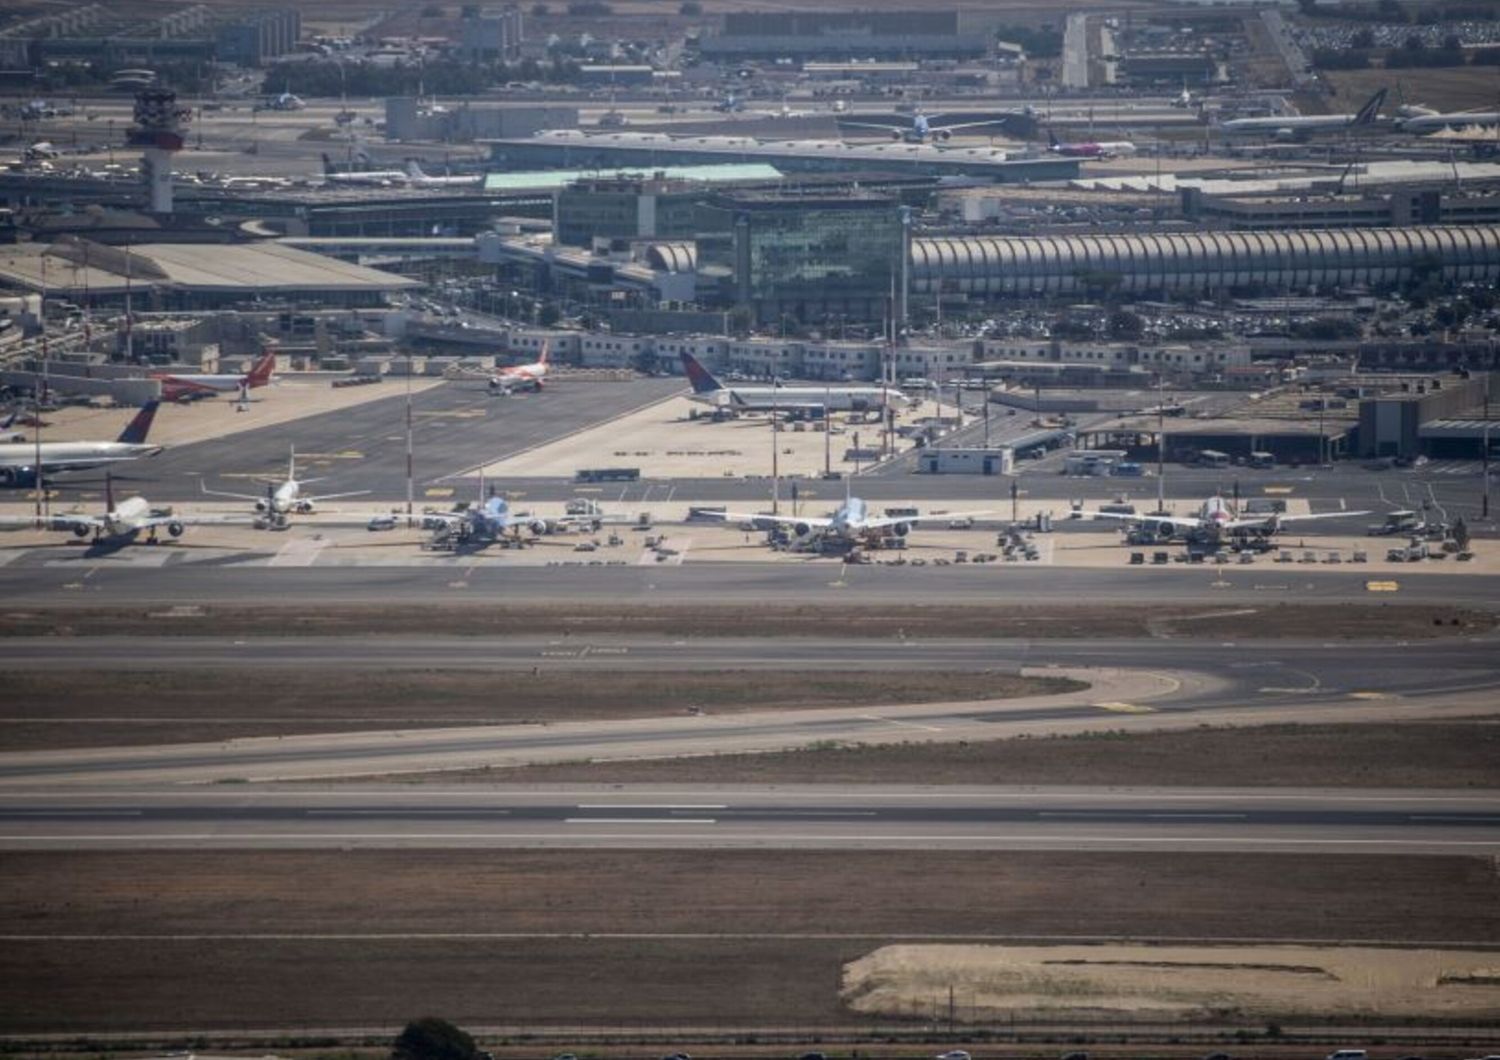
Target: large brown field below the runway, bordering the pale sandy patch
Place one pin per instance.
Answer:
(775, 977)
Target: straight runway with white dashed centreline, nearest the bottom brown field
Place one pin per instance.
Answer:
(802, 818)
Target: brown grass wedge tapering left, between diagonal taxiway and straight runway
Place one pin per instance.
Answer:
(1394, 755)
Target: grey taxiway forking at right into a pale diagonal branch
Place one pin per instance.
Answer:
(1133, 686)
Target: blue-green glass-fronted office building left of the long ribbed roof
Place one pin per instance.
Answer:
(805, 257)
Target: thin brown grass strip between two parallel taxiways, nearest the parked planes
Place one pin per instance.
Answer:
(1325, 621)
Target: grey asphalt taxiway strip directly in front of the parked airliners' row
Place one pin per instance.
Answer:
(32, 579)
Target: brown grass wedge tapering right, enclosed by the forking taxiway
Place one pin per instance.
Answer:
(44, 710)
